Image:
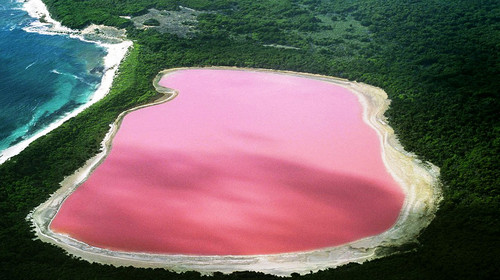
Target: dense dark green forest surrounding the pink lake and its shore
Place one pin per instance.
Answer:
(437, 60)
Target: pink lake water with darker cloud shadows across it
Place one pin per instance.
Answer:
(238, 163)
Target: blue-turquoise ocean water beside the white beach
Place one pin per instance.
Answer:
(42, 77)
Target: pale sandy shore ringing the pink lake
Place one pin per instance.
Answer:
(418, 180)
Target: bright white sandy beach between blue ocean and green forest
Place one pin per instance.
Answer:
(116, 52)
